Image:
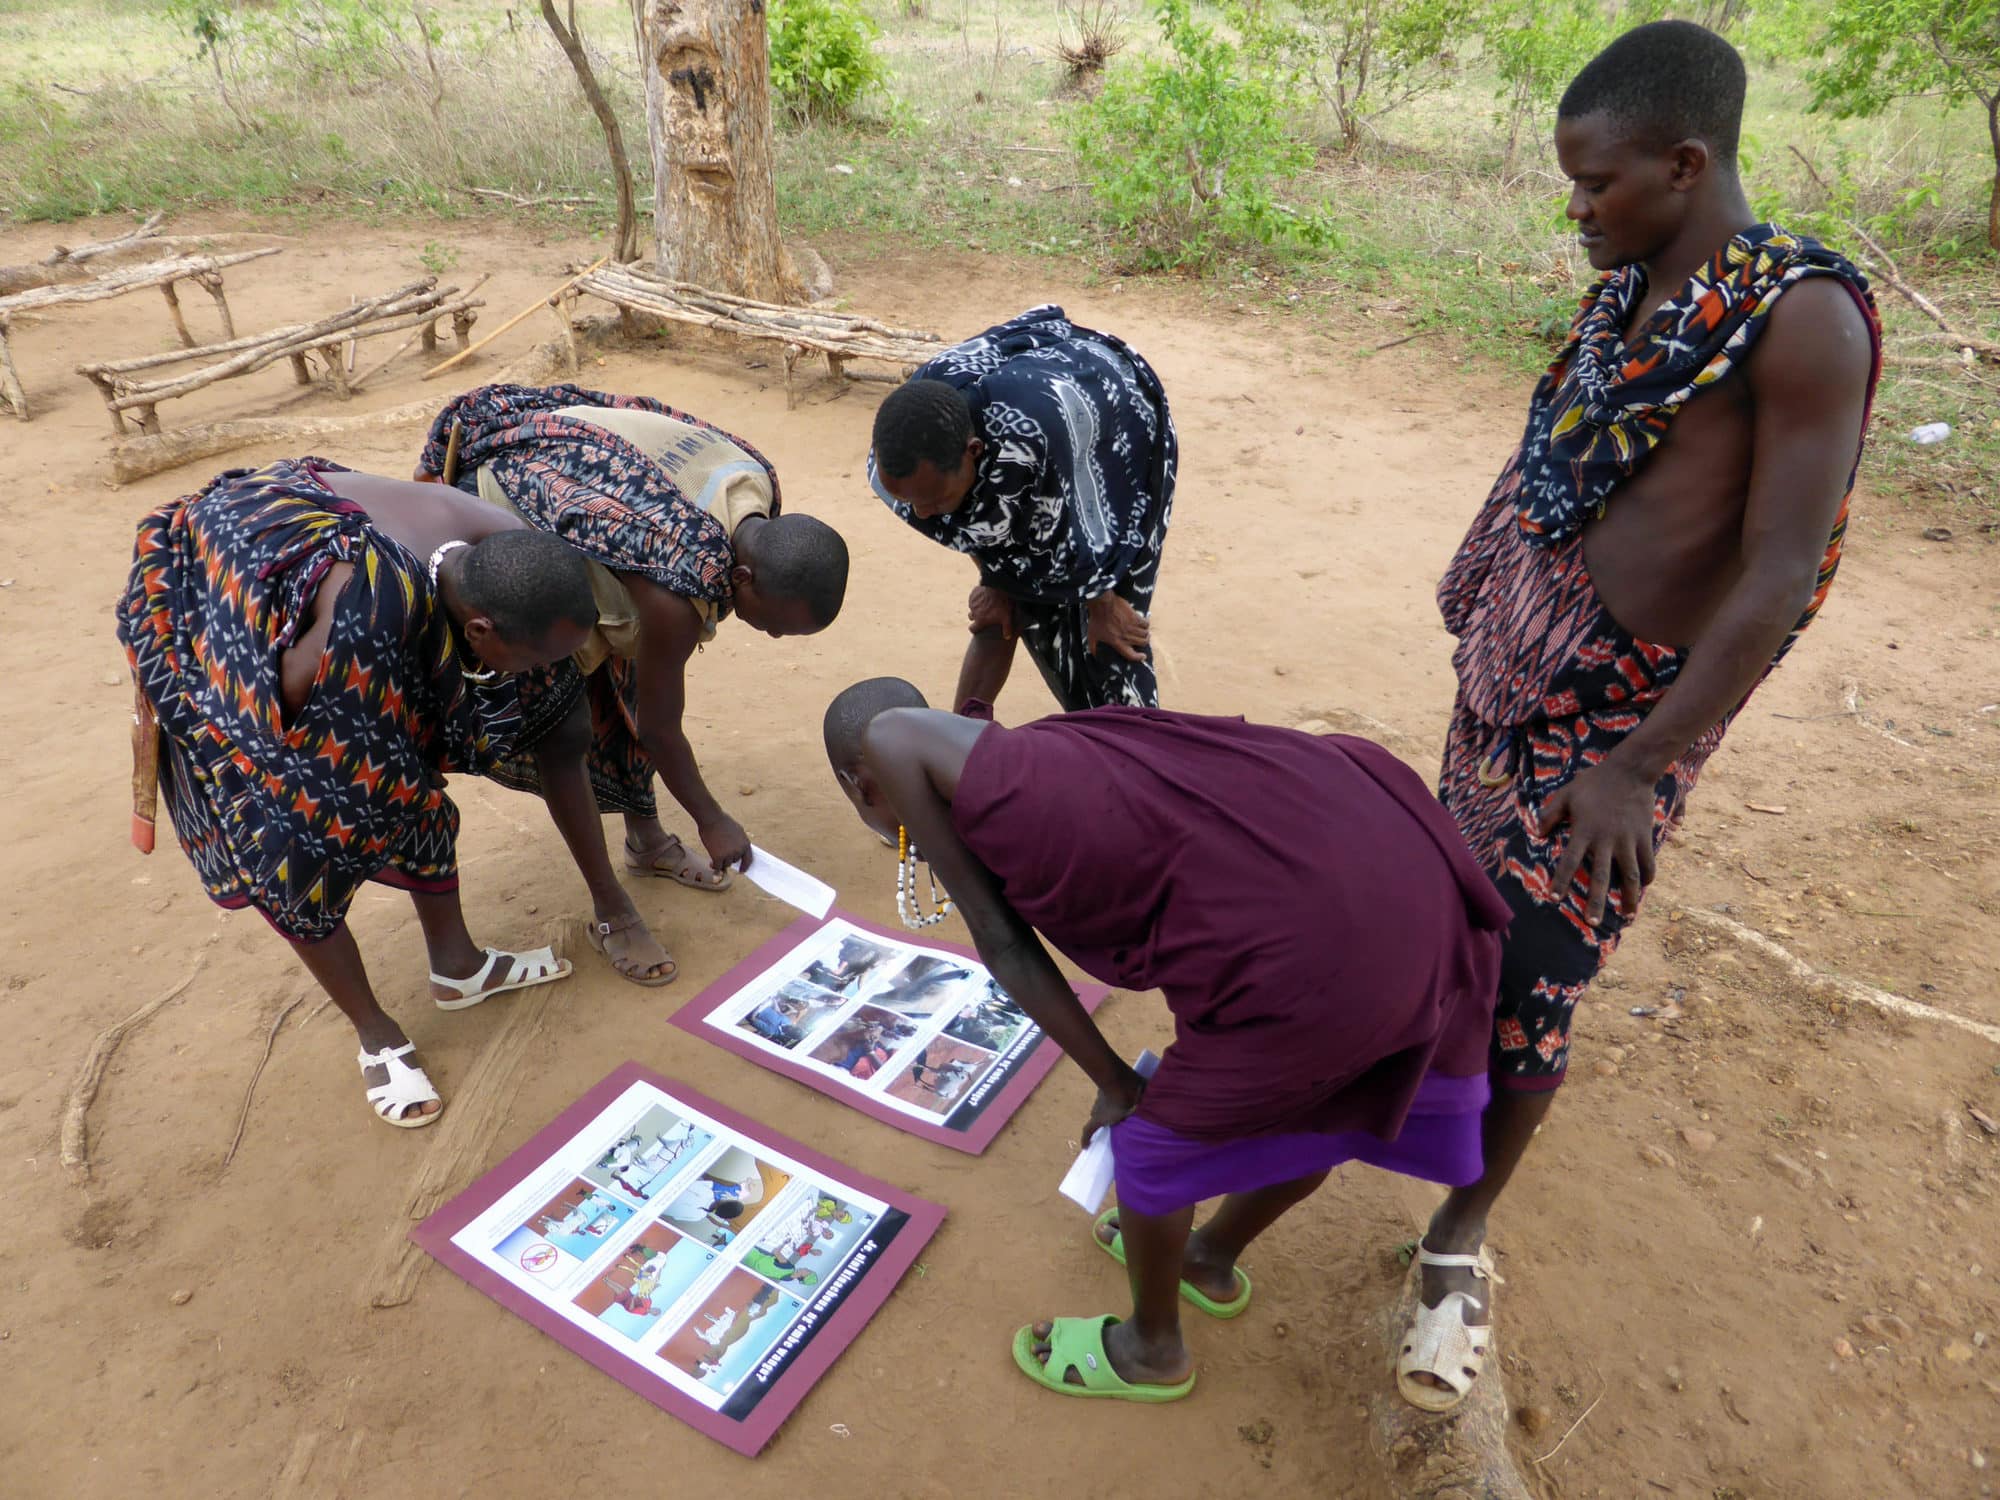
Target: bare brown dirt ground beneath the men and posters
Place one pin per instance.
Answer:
(1755, 1253)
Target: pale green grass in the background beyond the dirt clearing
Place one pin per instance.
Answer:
(113, 111)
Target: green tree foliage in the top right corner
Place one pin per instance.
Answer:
(1883, 51)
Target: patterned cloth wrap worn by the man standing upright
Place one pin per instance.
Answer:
(1549, 683)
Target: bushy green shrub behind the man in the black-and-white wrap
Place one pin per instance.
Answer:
(1185, 151)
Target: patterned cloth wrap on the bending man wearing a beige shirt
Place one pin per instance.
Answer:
(615, 505)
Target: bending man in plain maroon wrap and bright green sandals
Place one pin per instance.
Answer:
(1325, 941)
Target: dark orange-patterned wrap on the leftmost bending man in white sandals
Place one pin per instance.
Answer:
(295, 817)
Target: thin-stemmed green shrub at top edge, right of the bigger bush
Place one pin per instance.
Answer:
(1361, 57)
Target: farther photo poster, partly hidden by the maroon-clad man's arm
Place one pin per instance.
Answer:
(907, 1031)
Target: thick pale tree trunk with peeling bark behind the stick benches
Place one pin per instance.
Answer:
(709, 117)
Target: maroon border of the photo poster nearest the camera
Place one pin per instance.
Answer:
(847, 1321)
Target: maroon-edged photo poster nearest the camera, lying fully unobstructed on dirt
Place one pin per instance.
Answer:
(713, 1267)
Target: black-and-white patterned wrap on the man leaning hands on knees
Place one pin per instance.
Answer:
(1073, 495)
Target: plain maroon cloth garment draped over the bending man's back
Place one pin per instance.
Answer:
(1311, 913)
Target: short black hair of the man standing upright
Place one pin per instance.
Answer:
(1667, 81)
